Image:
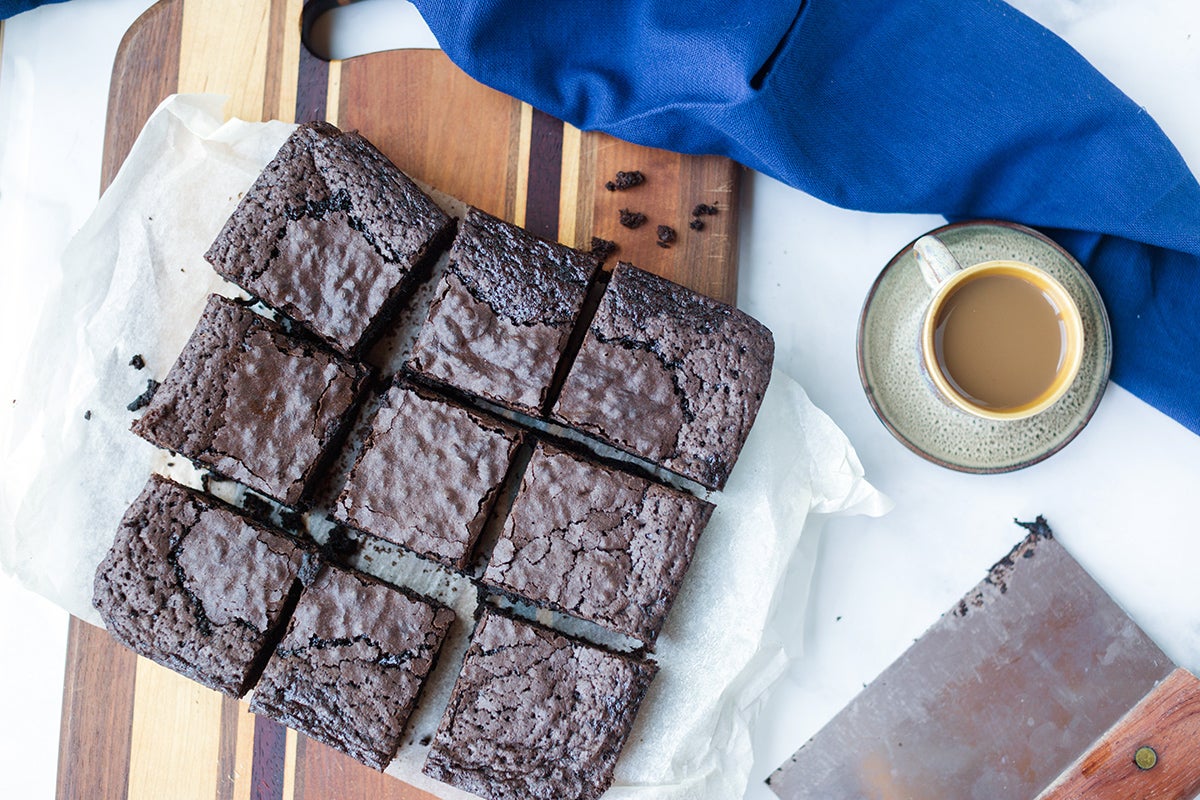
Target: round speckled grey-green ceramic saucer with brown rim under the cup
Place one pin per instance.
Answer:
(889, 360)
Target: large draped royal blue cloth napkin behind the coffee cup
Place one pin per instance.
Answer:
(965, 109)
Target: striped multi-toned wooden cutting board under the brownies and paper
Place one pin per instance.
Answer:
(135, 730)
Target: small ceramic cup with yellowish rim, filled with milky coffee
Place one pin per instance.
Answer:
(1001, 340)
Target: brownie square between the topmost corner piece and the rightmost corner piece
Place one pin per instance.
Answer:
(502, 316)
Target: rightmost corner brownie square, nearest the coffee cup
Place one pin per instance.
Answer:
(670, 376)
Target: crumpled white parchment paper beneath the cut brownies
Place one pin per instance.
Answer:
(134, 282)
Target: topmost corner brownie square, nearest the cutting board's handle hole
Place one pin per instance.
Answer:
(333, 234)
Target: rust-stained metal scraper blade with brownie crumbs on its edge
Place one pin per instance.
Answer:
(1004, 694)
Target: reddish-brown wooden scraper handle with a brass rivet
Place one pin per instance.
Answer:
(1153, 754)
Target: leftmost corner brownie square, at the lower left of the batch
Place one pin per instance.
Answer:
(197, 587)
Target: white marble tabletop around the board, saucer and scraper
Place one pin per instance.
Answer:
(1120, 497)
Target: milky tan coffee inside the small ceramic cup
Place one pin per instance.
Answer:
(1000, 341)
